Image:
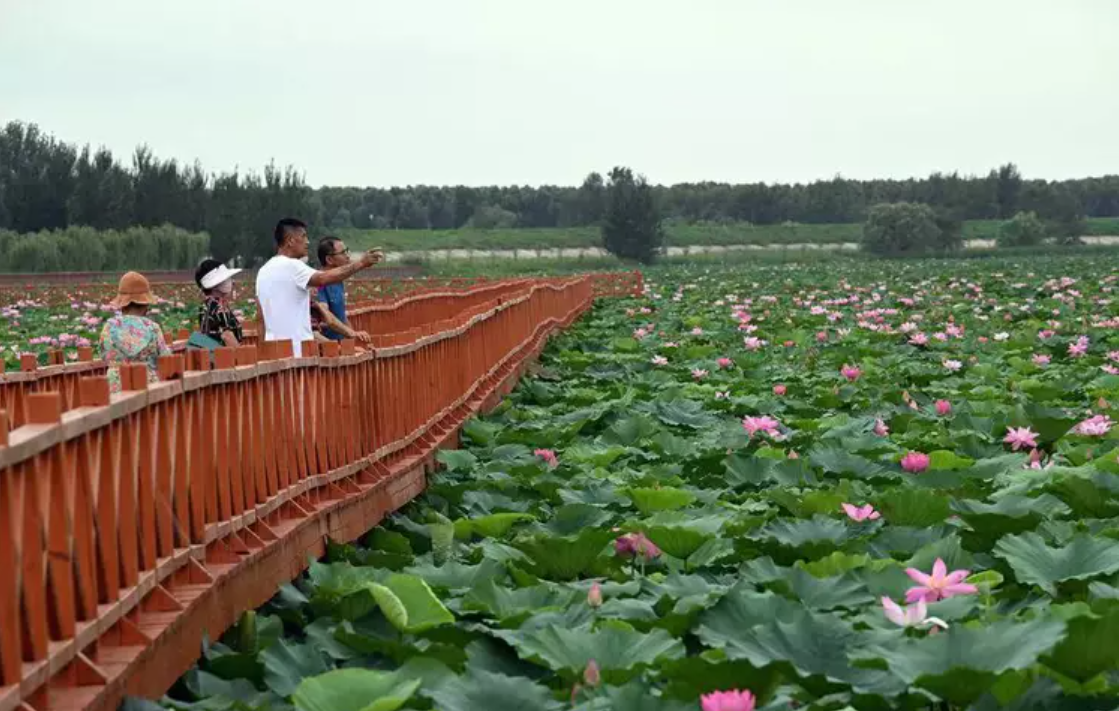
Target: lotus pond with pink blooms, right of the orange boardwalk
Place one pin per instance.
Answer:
(839, 487)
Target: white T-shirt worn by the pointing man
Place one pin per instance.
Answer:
(286, 301)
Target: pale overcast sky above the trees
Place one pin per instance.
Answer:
(530, 92)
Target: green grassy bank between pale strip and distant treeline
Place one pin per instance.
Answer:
(679, 236)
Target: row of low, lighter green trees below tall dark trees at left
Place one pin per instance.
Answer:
(89, 250)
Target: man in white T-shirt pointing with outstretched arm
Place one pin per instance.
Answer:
(285, 284)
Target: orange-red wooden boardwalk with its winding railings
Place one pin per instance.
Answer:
(134, 526)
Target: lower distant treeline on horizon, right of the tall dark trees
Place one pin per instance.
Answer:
(999, 195)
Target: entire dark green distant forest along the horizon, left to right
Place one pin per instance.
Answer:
(49, 184)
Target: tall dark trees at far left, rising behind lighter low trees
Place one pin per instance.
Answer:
(48, 185)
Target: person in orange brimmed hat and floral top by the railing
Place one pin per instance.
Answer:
(131, 336)
